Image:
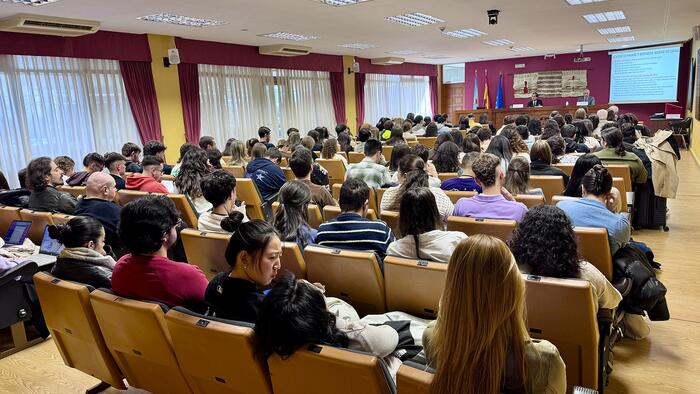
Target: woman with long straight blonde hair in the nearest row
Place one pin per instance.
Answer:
(479, 342)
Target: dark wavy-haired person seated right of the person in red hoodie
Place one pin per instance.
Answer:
(194, 167)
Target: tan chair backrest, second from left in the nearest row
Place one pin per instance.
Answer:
(136, 335)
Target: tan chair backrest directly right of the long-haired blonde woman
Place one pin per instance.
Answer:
(550, 303)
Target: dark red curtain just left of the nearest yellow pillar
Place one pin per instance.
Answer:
(141, 91)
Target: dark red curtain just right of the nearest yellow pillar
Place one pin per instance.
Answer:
(189, 92)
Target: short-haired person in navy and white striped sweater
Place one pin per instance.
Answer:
(351, 230)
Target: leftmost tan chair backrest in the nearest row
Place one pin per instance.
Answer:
(73, 326)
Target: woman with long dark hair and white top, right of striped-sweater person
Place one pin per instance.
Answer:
(420, 225)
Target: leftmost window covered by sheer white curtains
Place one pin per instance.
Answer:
(53, 106)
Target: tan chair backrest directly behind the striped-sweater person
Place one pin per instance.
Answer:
(350, 275)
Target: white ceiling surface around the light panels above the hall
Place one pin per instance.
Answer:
(548, 26)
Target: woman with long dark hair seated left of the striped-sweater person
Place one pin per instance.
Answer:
(292, 217)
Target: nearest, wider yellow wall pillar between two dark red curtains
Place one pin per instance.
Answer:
(167, 86)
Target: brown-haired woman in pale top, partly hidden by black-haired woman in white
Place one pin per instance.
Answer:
(411, 175)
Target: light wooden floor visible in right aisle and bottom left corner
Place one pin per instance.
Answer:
(667, 362)
